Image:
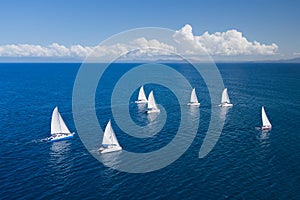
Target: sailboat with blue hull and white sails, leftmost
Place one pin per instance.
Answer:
(59, 129)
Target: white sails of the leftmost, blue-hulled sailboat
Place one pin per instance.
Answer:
(57, 123)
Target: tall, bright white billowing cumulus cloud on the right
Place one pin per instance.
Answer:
(231, 42)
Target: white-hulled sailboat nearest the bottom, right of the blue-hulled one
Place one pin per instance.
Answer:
(109, 141)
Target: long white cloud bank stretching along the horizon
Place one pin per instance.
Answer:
(229, 43)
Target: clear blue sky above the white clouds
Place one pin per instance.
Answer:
(89, 22)
